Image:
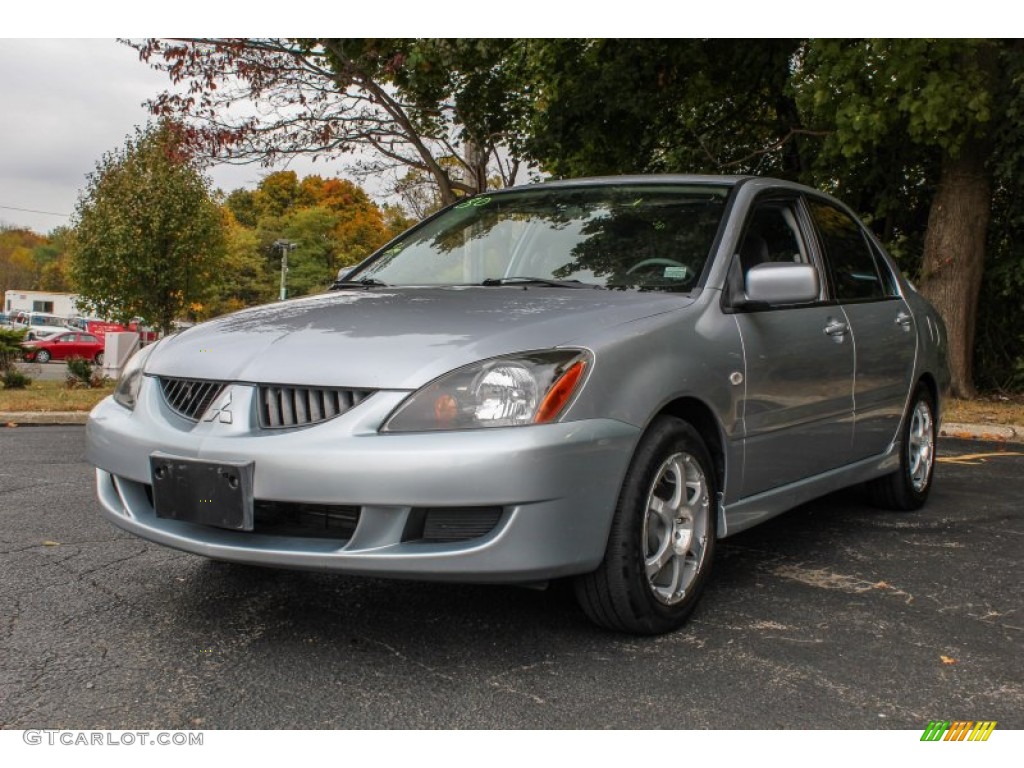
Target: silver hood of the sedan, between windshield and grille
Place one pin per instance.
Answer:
(395, 338)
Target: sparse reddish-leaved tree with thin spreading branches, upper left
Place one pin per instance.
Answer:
(407, 104)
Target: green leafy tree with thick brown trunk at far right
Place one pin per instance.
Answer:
(934, 104)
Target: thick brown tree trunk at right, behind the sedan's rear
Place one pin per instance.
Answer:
(955, 255)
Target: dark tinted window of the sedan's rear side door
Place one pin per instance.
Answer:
(856, 276)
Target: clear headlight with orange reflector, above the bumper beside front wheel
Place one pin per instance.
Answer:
(507, 392)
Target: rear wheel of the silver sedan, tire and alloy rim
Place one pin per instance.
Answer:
(908, 488)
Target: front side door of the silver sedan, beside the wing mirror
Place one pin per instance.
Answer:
(798, 407)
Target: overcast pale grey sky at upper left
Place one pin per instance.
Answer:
(64, 104)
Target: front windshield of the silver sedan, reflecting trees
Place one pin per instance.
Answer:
(614, 237)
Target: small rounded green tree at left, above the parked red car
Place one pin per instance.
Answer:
(149, 239)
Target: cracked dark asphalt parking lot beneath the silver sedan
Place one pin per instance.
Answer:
(833, 616)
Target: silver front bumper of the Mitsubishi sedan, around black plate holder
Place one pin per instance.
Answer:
(557, 485)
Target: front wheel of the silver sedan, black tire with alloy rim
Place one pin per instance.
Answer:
(663, 536)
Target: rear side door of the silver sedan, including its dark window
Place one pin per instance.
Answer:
(883, 328)
